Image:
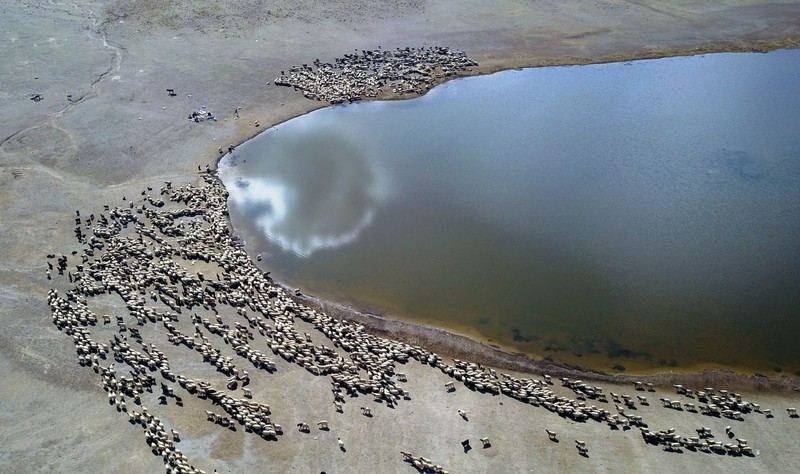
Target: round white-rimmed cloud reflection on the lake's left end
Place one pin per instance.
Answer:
(323, 200)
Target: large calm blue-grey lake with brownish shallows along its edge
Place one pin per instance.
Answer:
(638, 216)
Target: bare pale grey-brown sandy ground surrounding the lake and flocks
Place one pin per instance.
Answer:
(121, 132)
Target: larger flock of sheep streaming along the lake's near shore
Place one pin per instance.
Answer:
(170, 254)
